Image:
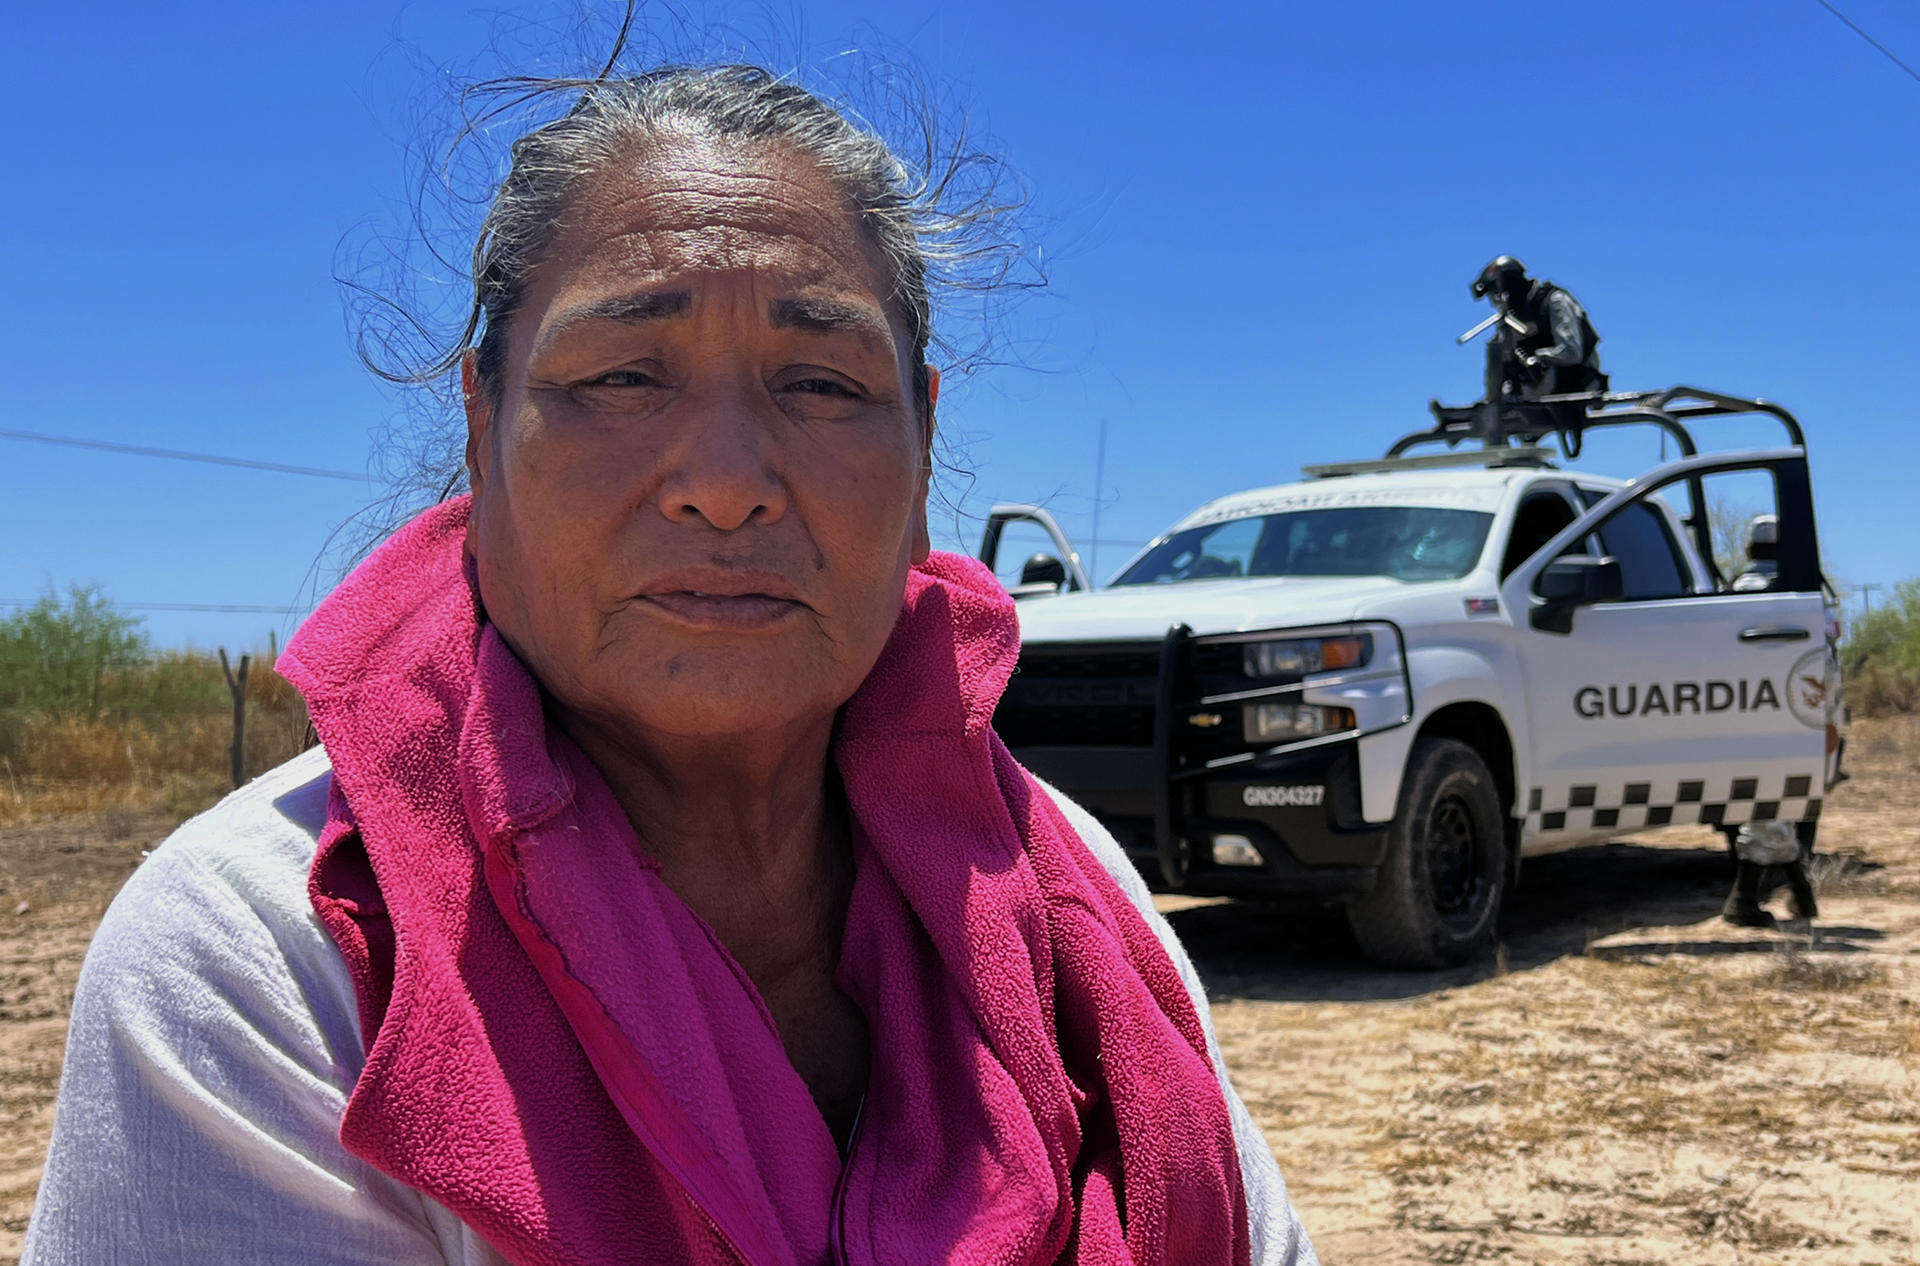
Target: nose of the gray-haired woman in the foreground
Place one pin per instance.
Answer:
(725, 470)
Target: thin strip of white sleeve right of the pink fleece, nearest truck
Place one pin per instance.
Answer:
(1276, 1229)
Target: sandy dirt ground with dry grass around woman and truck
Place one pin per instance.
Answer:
(1629, 1083)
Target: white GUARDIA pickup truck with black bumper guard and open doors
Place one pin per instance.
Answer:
(1387, 685)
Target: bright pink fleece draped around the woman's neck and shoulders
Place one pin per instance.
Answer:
(565, 1056)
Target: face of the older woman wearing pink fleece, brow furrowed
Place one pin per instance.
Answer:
(704, 479)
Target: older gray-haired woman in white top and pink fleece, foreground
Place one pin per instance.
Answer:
(661, 892)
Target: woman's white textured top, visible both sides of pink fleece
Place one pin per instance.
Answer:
(216, 1040)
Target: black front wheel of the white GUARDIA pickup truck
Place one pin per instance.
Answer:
(1445, 873)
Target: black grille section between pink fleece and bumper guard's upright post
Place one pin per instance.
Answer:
(1082, 696)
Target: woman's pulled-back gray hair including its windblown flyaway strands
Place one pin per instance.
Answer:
(942, 212)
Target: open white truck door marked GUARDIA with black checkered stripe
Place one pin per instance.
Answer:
(1662, 694)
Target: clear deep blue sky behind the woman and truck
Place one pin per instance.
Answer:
(1259, 226)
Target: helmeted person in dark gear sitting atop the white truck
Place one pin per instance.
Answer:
(1547, 345)
